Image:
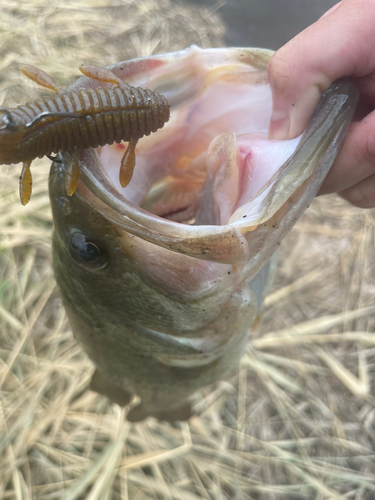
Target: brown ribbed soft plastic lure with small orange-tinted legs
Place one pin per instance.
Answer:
(75, 120)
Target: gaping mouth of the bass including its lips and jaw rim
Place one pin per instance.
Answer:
(210, 177)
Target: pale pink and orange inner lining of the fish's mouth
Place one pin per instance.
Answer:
(211, 158)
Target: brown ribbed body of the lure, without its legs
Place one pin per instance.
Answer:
(105, 116)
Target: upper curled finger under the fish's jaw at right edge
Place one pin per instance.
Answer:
(356, 159)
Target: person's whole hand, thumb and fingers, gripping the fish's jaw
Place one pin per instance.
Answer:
(339, 44)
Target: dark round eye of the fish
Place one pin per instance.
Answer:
(87, 252)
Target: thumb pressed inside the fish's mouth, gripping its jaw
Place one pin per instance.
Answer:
(339, 44)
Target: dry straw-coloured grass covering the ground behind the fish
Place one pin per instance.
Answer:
(299, 419)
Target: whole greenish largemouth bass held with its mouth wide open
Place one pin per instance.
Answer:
(162, 280)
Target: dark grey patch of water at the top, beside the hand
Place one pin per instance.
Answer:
(267, 23)
